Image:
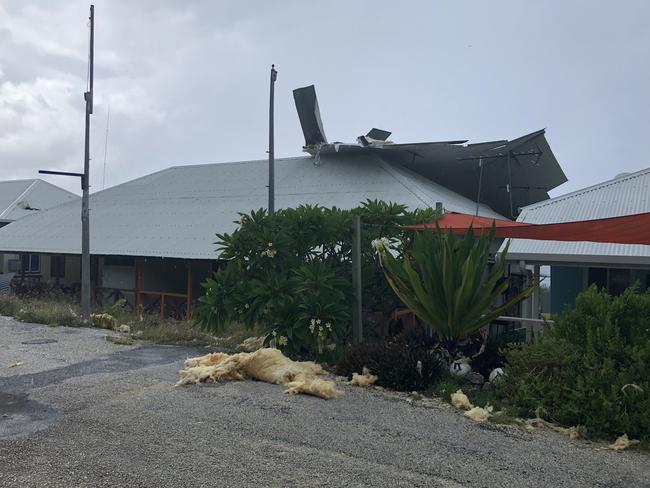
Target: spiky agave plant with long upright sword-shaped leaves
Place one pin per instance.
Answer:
(446, 282)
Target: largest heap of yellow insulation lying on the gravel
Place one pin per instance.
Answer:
(267, 364)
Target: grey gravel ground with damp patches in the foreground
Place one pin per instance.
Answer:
(82, 412)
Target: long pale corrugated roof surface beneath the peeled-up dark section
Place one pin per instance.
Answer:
(177, 212)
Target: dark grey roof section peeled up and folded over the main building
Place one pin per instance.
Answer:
(506, 175)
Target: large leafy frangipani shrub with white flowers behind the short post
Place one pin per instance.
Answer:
(289, 274)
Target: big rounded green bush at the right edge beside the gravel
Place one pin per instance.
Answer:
(592, 368)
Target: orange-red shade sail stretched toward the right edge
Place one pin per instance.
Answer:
(629, 229)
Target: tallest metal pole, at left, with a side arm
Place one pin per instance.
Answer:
(85, 213)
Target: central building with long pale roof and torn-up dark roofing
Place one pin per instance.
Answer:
(152, 239)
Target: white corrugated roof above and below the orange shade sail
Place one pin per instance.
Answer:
(624, 195)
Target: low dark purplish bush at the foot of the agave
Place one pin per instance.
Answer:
(395, 363)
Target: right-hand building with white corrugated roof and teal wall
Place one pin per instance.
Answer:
(574, 266)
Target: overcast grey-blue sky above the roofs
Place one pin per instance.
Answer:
(187, 82)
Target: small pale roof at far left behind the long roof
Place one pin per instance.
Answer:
(19, 198)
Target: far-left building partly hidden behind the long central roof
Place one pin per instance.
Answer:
(21, 198)
